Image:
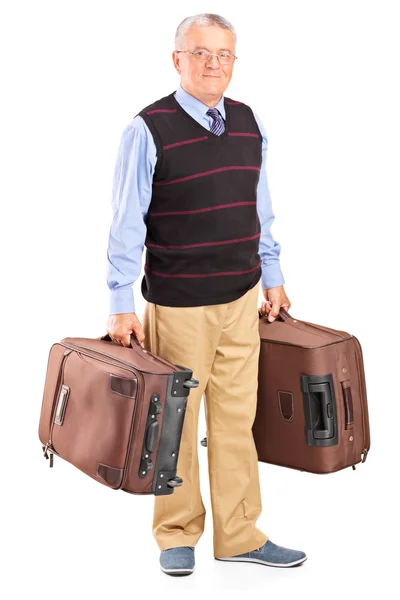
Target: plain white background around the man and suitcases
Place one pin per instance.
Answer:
(323, 77)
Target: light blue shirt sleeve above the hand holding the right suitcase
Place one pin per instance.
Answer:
(269, 249)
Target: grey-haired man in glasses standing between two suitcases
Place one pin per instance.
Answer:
(190, 182)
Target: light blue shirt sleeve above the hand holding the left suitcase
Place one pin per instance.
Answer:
(131, 196)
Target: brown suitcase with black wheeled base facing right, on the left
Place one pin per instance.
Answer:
(115, 413)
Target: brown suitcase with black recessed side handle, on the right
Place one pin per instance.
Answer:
(312, 412)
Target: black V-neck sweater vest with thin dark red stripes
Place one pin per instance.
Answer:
(203, 228)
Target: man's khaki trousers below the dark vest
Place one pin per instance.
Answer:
(221, 344)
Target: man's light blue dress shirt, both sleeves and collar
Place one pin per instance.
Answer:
(131, 197)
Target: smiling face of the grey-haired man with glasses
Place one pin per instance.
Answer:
(205, 80)
